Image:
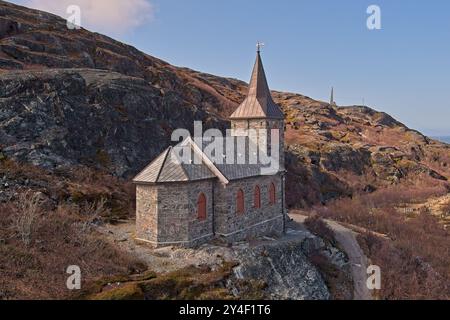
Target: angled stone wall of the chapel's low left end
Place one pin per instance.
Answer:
(167, 213)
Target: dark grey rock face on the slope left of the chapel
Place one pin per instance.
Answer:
(56, 117)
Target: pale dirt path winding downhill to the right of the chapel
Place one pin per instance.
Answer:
(348, 242)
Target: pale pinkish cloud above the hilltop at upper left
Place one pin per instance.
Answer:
(107, 16)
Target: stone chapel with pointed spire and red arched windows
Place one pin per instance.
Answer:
(187, 204)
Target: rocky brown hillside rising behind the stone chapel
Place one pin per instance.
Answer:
(79, 98)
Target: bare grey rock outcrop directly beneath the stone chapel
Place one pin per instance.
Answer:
(300, 266)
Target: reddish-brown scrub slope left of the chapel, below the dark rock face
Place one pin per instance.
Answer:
(50, 224)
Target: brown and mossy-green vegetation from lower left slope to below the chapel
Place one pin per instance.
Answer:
(50, 224)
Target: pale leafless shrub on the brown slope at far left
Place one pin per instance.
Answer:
(24, 218)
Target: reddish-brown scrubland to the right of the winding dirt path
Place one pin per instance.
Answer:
(415, 260)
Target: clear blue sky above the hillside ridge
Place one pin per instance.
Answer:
(403, 69)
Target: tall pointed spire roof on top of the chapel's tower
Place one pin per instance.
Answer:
(259, 103)
